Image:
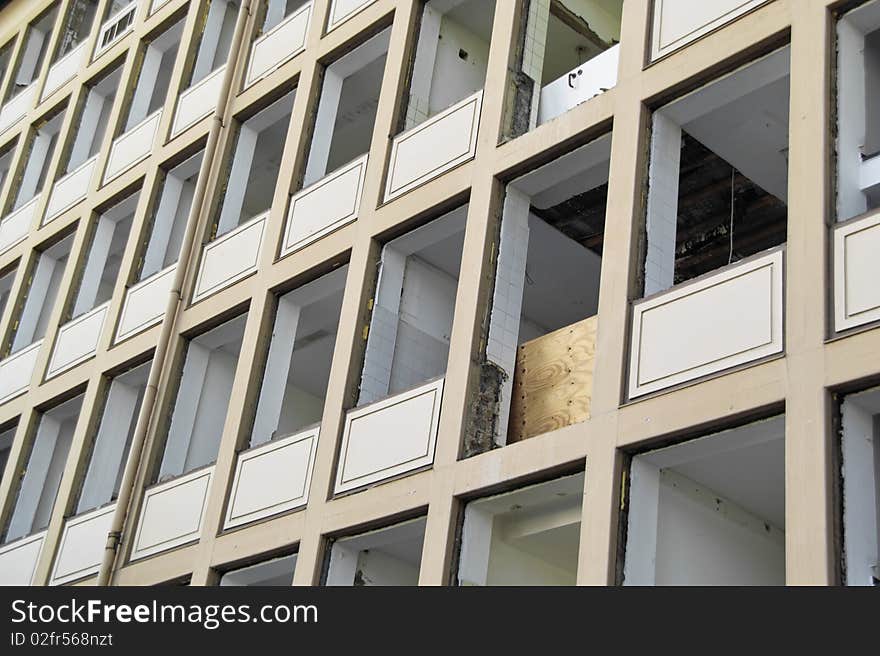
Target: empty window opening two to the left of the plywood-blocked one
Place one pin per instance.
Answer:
(298, 362)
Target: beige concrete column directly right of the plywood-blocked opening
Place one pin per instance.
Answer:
(598, 540)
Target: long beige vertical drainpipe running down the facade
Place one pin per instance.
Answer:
(188, 251)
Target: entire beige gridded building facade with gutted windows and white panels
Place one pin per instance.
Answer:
(468, 292)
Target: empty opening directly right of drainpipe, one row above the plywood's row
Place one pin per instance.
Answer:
(253, 169)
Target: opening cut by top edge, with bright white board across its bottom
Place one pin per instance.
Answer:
(568, 54)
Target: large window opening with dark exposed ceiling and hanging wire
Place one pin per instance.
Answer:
(718, 179)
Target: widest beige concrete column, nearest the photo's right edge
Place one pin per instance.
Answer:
(810, 544)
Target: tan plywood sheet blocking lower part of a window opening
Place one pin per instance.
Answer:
(553, 381)
